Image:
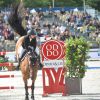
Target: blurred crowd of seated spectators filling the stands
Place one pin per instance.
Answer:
(53, 25)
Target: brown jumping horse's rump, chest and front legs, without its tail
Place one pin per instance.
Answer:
(28, 69)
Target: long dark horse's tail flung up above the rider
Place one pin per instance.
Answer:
(15, 21)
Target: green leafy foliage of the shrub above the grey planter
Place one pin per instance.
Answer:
(76, 55)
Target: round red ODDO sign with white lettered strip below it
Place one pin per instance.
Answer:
(53, 53)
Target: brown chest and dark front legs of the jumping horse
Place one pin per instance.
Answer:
(27, 72)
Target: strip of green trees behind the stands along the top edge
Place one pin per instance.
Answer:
(46, 3)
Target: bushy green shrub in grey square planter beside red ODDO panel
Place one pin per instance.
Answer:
(76, 55)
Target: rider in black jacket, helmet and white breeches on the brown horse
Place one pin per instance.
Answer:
(28, 45)
